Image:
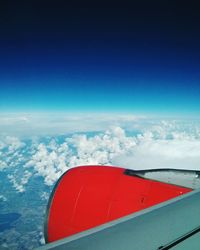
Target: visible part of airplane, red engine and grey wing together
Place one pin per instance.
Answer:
(112, 208)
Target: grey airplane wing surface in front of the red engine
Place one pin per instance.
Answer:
(147, 230)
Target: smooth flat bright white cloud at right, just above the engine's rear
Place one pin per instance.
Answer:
(181, 151)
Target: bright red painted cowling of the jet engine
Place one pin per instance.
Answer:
(89, 196)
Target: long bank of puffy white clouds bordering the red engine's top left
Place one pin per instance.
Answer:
(53, 159)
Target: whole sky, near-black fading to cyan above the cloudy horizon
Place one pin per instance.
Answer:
(140, 57)
